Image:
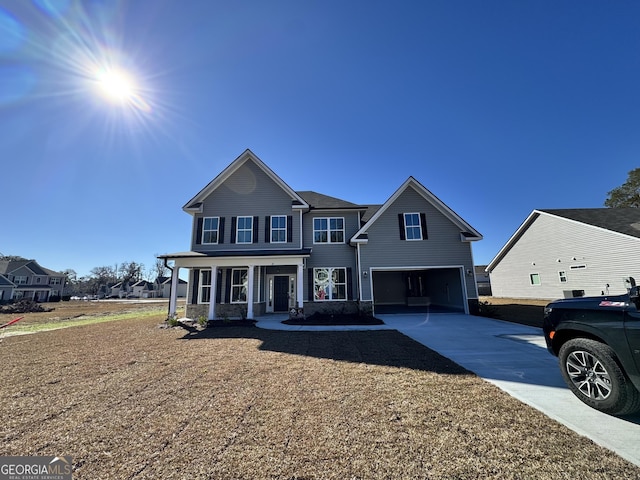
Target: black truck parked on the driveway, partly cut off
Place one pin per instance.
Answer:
(597, 341)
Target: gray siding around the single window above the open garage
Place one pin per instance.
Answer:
(442, 248)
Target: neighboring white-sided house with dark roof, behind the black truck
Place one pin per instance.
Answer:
(569, 253)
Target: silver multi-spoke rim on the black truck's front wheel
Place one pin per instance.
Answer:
(588, 375)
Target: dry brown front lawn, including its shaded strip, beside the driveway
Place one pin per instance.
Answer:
(129, 400)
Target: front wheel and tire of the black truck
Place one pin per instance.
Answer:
(592, 372)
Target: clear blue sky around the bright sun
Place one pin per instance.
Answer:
(497, 107)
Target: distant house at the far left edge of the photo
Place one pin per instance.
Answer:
(30, 281)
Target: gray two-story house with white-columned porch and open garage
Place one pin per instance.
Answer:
(259, 247)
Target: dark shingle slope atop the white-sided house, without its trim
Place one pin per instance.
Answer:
(621, 220)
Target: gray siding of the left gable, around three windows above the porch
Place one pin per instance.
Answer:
(247, 192)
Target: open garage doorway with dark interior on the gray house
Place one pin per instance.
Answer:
(416, 291)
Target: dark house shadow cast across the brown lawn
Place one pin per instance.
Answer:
(386, 348)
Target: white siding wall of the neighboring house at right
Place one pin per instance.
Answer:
(550, 245)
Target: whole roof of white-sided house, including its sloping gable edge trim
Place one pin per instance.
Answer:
(624, 221)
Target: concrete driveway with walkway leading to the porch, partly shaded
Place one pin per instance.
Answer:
(512, 357)
